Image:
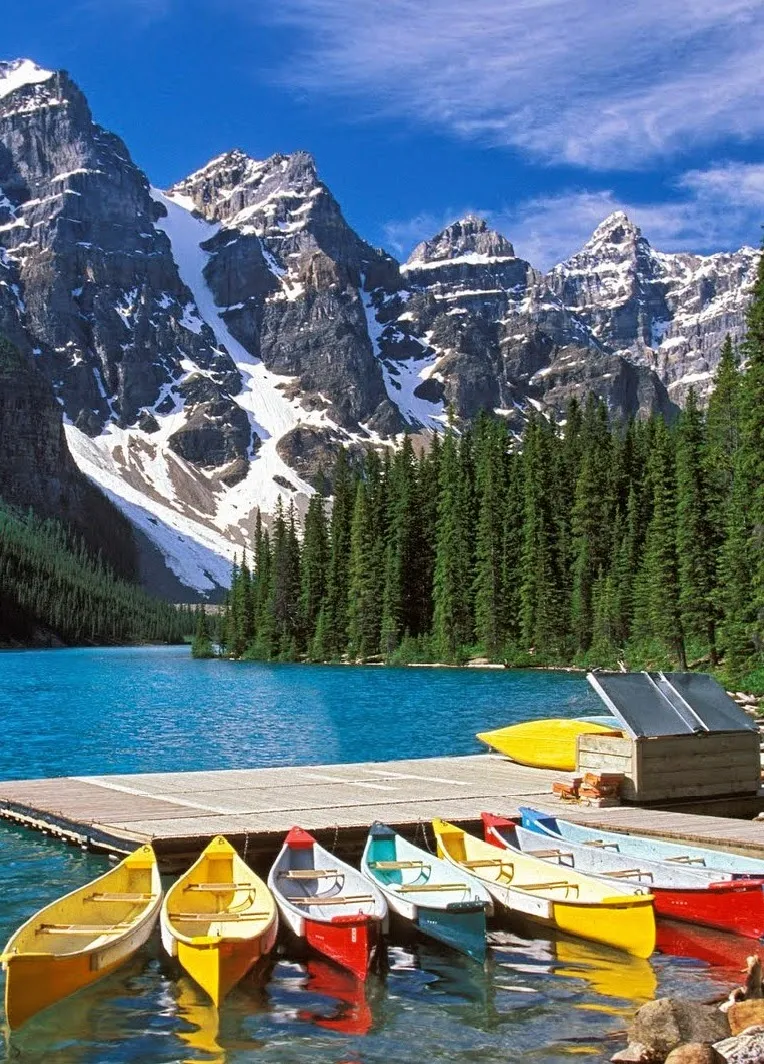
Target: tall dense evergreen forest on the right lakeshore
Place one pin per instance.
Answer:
(584, 543)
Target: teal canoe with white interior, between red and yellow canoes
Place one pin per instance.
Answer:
(438, 900)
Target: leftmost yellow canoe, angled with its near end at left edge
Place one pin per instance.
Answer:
(82, 937)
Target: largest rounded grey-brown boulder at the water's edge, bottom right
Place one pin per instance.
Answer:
(667, 1024)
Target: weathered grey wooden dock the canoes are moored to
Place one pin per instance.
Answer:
(179, 812)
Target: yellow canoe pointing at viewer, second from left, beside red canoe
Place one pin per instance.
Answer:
(219, 920)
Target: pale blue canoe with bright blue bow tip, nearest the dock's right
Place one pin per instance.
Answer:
(643, 849)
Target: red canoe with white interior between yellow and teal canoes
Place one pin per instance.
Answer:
(328, 904)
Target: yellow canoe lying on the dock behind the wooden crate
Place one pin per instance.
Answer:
(544, 744)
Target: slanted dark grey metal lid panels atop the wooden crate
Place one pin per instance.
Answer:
(670, 704)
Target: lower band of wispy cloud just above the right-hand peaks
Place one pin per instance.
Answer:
(718, 209)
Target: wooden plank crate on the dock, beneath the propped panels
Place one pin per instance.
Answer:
(676, 767)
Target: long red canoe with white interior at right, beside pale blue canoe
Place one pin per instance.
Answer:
(693, 895)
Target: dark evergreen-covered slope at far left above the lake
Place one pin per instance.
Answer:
(53, 590)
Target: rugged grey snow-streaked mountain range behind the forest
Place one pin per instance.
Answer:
(213, 345)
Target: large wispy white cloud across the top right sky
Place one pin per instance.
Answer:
(602, 86)
